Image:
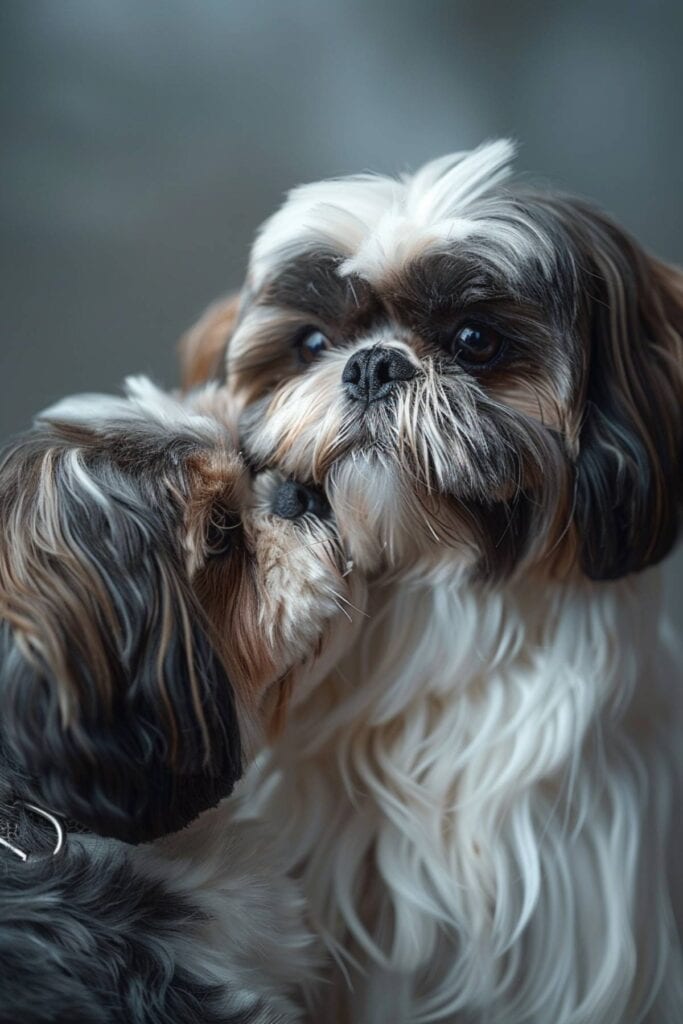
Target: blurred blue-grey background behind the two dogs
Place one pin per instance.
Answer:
(144, 143)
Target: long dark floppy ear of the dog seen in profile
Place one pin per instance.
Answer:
(117, 710)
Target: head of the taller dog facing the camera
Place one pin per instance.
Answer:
(473, 368)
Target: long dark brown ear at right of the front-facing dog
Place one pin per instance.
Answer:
(629, 470)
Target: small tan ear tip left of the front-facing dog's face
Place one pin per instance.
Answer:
(203, 347)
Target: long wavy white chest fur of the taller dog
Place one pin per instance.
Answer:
(478, 804)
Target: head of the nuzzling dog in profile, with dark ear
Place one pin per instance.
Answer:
(154, 607)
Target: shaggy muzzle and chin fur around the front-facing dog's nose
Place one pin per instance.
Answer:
(410, 487)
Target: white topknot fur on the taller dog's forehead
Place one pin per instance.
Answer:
(376, 222)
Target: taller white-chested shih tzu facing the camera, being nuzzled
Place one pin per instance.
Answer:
(489, 380)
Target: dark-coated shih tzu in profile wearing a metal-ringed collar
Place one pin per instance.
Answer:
(157, 610)
